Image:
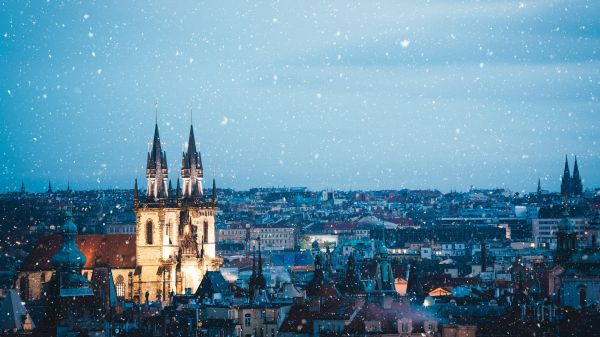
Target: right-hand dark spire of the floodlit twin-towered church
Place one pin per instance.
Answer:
(191, 169)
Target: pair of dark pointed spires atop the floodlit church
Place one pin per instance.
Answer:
(157, 173)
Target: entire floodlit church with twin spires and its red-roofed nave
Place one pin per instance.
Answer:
(174, 243)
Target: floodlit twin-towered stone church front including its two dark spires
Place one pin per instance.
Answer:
(175, 235)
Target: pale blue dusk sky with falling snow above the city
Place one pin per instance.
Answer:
(373, 95)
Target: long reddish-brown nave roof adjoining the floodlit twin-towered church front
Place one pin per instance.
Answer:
(116, 250)
